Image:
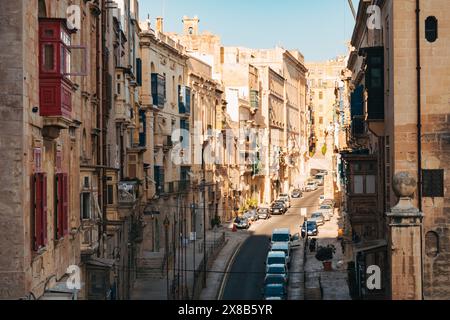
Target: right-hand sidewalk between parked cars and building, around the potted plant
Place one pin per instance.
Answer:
(334, 284)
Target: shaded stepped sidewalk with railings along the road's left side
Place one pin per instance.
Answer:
(156, 288)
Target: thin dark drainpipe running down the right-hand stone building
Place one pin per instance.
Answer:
(419, 134)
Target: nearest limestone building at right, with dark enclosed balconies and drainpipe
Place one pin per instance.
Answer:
(399, 107)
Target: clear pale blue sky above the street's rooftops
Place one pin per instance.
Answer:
(318, 28)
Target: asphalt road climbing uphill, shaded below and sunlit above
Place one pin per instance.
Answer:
(245, 281)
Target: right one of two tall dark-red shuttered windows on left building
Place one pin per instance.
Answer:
(61, 205)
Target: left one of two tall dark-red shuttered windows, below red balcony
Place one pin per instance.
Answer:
(39, 210)
